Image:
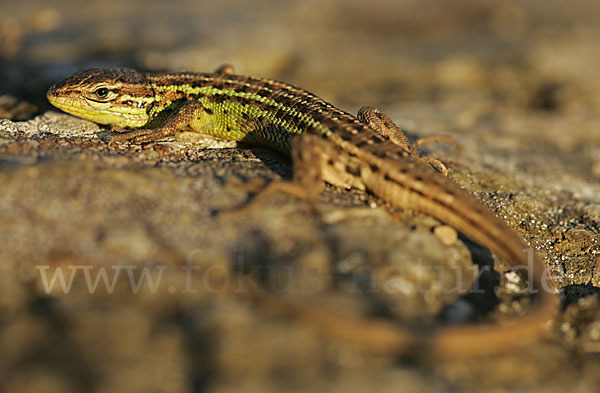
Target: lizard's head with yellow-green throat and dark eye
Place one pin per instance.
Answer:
(116, 96)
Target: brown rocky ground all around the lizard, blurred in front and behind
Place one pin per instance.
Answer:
(515, 83)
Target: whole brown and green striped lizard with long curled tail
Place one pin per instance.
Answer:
(367, 152)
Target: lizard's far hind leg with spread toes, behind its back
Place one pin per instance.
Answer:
(382, 124)
